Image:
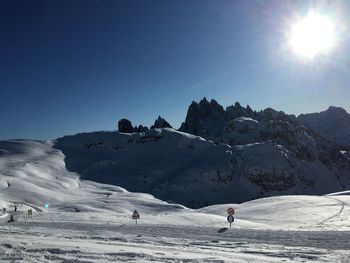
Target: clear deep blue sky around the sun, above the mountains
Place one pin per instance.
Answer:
(73, 66)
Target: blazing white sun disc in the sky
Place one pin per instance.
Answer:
(312, 35)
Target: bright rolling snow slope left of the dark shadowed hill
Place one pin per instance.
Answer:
(33, 173)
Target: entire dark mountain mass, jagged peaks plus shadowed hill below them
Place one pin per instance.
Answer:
(217, 156)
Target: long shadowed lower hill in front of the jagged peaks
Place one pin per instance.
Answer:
(187, 169)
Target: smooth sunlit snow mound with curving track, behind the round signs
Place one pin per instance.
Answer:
(302, 212)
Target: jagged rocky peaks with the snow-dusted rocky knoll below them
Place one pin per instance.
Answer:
(277, 151)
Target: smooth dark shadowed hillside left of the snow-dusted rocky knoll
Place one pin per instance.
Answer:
(171, 165)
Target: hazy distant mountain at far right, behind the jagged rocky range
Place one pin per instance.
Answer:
(333, 123)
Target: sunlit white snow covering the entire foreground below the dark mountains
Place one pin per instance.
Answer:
(91, 222)
